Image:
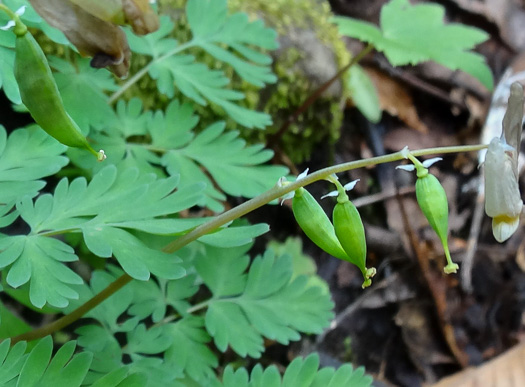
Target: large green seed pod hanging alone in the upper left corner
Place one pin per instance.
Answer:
(39, 91)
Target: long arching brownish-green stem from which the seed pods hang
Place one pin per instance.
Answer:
(228, 216)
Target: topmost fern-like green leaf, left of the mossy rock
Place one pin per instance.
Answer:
(217, 33)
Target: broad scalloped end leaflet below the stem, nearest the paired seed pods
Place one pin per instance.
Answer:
(264, 302)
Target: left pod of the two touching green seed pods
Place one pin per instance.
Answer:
(312, 219)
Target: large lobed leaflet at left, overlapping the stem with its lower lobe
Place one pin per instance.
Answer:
(107, 208)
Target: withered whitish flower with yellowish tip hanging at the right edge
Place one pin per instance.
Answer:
(502, 195)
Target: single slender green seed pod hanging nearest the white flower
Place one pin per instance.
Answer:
(432, 200)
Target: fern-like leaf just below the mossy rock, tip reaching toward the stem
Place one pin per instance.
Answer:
(236, 168)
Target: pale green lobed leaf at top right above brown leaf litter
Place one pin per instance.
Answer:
(413, 34)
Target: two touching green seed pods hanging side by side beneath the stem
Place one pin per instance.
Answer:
(344, 239)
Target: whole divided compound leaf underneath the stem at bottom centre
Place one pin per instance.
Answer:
(247, 304)
